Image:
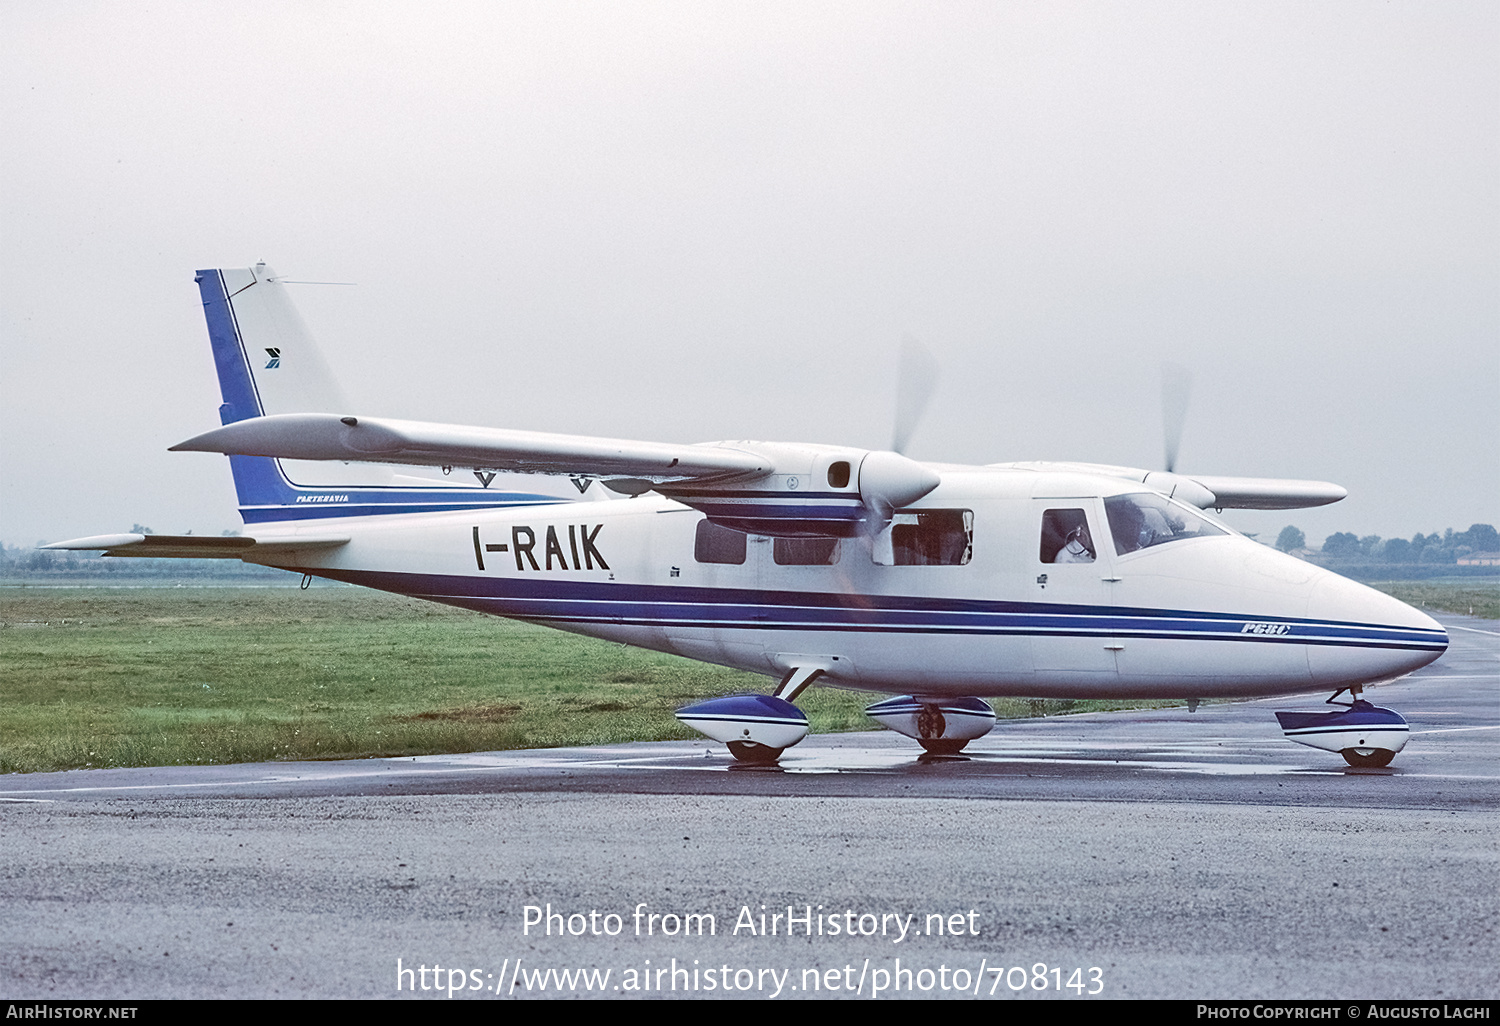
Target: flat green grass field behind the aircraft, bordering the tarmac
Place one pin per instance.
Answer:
(127, 677)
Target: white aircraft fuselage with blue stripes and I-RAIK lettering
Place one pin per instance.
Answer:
(986, 611)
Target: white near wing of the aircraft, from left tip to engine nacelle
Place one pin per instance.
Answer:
(481, 449)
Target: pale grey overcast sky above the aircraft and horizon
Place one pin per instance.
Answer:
(697, 221)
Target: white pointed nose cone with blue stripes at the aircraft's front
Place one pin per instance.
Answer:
(1366, 635)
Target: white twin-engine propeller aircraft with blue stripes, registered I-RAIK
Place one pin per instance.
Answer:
(940, 584)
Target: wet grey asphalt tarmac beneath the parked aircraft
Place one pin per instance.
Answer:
(1160, 854)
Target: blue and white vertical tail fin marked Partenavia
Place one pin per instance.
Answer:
(268, 364)
